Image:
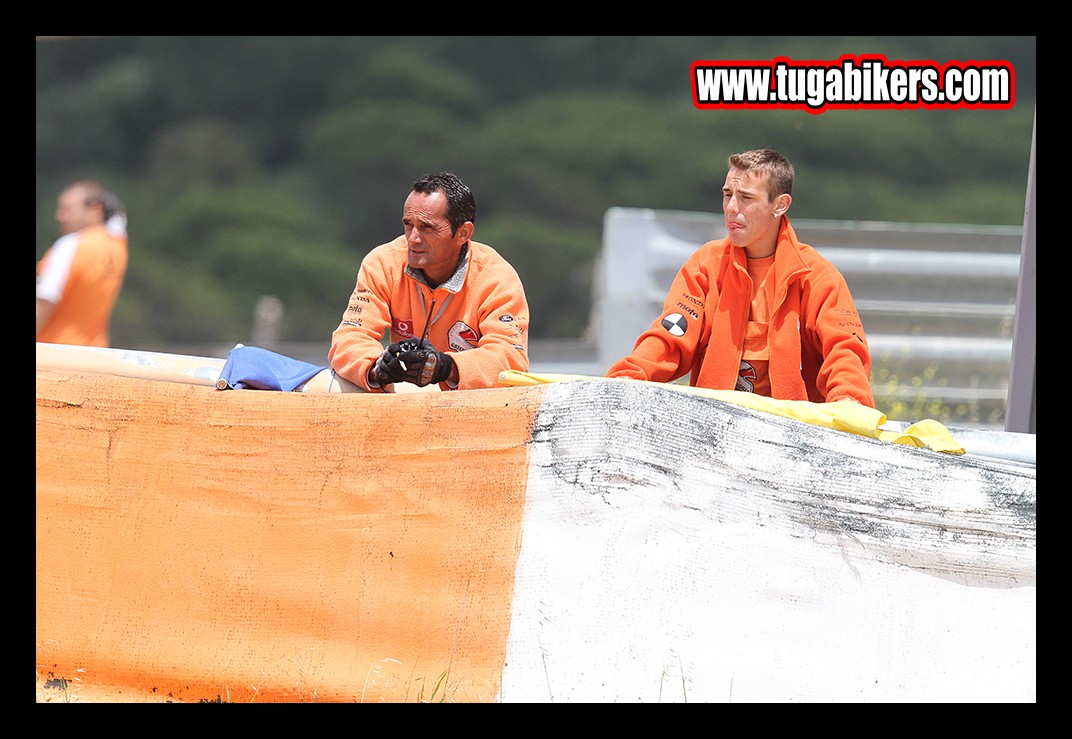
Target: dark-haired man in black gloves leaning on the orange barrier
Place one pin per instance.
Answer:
(456, 309)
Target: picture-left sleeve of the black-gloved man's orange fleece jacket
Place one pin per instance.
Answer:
(356, 344)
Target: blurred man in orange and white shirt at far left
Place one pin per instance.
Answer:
(81, 276)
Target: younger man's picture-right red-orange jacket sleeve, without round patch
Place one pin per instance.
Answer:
(836, 333)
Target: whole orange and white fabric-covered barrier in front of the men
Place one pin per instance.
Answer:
(590, 541)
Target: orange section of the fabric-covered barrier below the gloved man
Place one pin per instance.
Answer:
(196, 545)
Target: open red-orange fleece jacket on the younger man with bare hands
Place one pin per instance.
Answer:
(817, 344)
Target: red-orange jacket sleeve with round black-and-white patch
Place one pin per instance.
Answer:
(668, 349)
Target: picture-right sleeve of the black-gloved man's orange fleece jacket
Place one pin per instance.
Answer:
(502, 315)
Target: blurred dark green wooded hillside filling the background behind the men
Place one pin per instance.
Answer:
(271, 166)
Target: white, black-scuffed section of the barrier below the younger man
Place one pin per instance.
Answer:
(679, 550)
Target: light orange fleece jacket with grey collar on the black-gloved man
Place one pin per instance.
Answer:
(480, 316)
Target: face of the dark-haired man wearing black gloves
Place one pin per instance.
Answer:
(433, 247)
